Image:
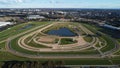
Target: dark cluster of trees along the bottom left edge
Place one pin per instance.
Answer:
(33, 64)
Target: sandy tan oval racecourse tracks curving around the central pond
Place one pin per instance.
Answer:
(76, 47)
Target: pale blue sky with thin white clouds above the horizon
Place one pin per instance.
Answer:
(60, 4)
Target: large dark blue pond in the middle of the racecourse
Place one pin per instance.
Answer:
(62, 32)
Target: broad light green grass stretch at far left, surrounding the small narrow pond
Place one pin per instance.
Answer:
(16, 29)
